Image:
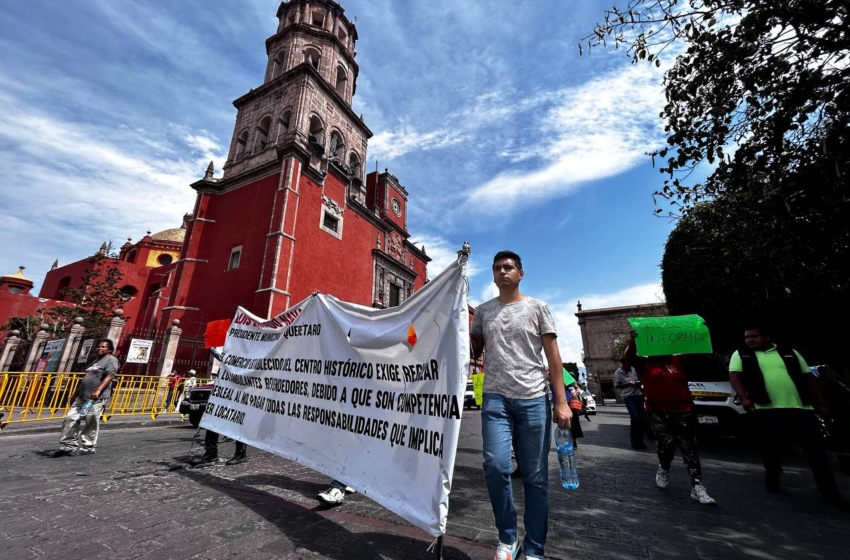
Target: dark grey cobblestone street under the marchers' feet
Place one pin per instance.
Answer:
(136, 499)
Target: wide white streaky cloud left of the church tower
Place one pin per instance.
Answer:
(76, 185)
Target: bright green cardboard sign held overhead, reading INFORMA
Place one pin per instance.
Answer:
(660, 336)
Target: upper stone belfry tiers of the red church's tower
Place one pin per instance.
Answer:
(304, 103)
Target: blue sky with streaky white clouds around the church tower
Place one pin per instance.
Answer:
(502, 134)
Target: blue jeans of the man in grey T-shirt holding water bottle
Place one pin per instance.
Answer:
(532, 421)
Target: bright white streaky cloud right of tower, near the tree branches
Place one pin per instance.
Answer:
(588, 135)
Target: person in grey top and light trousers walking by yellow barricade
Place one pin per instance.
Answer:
(79, 435)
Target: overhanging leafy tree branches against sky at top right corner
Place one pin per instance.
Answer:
(759, 90)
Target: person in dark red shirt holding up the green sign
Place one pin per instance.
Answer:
(669, 405)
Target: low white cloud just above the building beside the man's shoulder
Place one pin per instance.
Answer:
(569, 333)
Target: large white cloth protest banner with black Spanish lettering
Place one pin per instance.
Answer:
(370, 397)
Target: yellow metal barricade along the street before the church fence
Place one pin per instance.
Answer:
(28, 397)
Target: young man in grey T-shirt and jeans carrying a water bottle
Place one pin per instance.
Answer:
(516, 331)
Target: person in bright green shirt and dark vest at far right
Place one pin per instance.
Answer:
(775, 385)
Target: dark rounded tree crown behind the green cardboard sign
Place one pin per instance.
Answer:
(734, 266)
